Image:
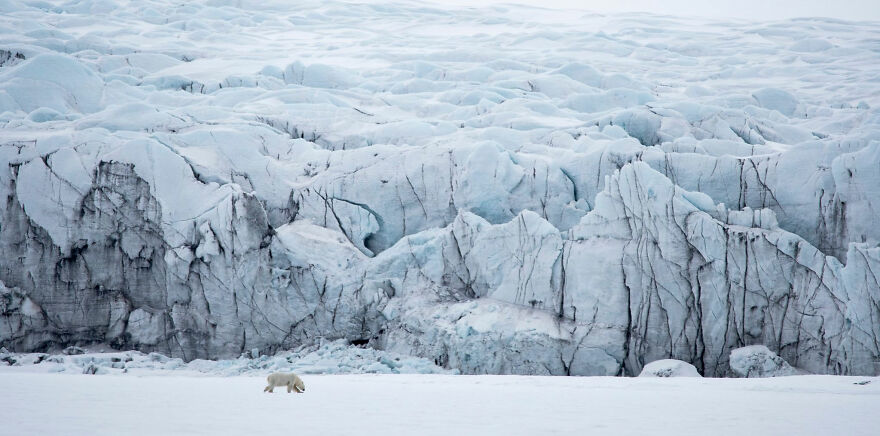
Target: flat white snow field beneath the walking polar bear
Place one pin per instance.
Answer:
(438, 405)
